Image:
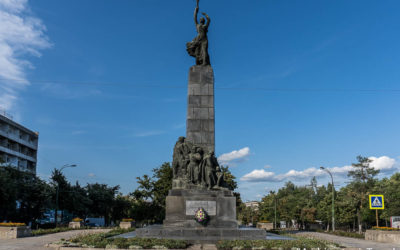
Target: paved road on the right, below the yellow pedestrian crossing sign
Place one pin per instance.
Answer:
(351, 242)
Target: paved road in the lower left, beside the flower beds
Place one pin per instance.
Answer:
(39, 242)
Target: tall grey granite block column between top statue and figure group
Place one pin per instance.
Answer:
(200, 123)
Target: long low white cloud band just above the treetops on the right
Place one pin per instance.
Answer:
(383, 163)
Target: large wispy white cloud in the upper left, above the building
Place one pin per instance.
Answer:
(21, 34)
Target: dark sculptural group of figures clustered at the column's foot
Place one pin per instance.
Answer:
(194, 166)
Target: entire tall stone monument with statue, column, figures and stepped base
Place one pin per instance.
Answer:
(199, 207)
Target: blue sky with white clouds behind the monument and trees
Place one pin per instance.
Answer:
(299, 84)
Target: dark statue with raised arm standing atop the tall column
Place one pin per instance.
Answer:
(198, 48)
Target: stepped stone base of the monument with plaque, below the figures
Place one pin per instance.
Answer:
(180, 223)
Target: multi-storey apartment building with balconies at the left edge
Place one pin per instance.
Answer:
(18, 145)
